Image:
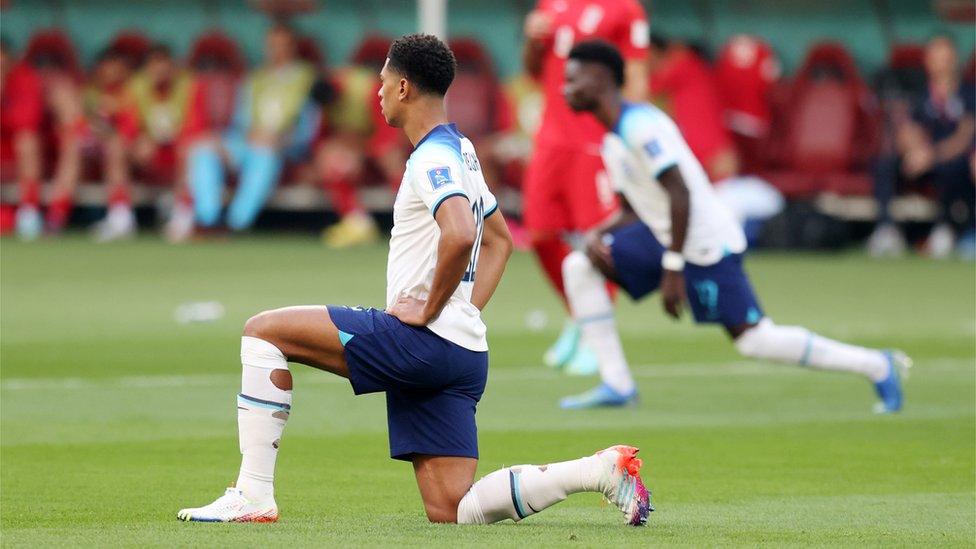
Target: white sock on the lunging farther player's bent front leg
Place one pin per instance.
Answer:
(589, 301)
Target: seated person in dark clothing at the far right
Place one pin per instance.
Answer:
(935, 144)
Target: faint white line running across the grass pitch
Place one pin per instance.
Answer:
(504, 375)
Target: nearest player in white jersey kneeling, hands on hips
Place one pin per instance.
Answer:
(427, 351)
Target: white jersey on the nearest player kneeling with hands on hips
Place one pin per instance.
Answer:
(442, 165)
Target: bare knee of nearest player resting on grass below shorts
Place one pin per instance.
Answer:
(443, 481)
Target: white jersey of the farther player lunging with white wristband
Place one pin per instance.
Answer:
(643, 145)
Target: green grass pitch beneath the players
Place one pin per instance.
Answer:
(114, 416)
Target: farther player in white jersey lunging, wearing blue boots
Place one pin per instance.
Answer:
(673, 234)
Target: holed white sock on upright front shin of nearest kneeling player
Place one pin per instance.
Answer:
(262, 411)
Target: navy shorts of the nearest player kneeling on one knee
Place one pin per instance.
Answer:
(432, 385)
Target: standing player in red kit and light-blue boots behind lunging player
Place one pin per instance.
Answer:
(566, 189)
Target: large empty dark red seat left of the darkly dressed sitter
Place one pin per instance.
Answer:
(828, 130)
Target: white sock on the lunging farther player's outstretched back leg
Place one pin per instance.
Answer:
(797, 345)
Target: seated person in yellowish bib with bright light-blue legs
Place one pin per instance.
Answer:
(274, 119)
